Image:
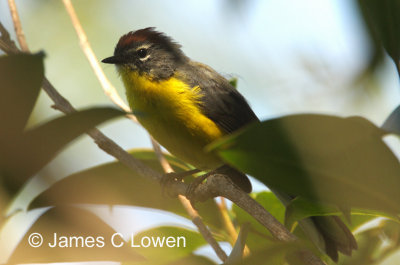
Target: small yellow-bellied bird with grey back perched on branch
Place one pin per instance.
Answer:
(186, 105)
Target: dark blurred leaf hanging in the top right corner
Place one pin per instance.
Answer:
(383, 23)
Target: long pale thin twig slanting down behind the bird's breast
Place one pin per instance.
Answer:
(112, 93)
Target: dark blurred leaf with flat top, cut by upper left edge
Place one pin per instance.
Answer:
(21, 78)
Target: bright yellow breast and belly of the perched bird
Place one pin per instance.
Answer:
(168, 111)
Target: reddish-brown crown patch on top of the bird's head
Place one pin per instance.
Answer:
(145, 35)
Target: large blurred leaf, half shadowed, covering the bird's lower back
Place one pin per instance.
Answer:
(334, 160)
